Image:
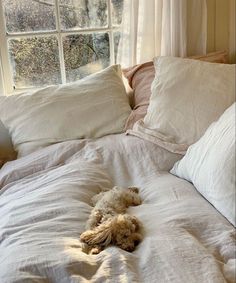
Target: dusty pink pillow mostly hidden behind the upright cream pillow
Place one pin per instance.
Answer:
(140, 78)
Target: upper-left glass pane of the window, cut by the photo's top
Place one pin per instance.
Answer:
(29, 15)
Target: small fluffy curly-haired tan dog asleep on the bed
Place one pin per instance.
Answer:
(108, 223)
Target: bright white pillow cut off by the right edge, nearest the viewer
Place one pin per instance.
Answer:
(210, 164)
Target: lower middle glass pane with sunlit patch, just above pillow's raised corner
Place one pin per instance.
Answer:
(85, 54)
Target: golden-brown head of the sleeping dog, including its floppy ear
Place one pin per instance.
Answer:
(122, 231)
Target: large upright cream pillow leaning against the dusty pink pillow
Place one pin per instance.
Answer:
(187, 96)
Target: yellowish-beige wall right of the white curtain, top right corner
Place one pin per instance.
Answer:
(221, 27)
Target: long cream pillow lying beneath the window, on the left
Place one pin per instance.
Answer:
(89, 108)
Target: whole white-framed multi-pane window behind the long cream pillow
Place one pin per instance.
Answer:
(45, 42)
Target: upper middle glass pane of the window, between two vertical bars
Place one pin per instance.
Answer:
(83, 13)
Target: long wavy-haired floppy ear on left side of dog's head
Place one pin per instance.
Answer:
(101, 235)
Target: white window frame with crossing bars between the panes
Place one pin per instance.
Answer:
(6, 74)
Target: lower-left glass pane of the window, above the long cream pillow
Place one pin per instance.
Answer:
(35, 61)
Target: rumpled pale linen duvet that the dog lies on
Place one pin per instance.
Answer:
(45, 202)
